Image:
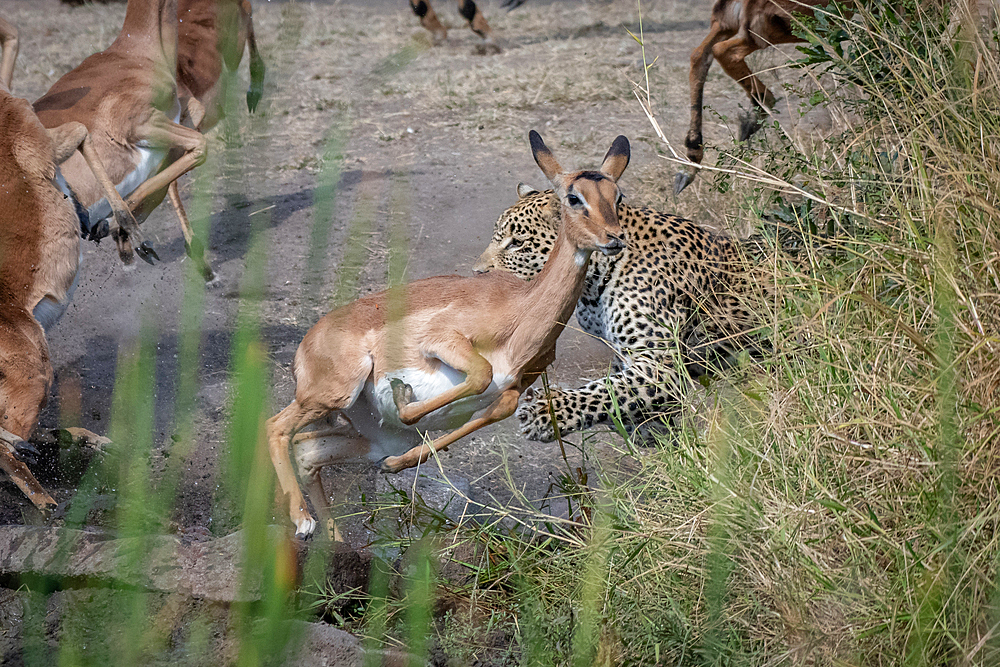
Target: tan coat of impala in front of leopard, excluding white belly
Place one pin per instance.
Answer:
(492, 323)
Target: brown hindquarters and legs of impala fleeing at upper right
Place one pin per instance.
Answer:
(739, 27)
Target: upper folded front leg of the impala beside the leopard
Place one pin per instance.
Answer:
(460, 355)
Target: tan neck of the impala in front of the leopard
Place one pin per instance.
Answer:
(552, 295)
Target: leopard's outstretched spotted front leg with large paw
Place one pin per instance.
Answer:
(644, 389)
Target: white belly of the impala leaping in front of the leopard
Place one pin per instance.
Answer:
(374, 412)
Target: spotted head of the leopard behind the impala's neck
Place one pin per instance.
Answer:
(524, 235)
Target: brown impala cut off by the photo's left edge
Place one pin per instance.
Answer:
(39, 257)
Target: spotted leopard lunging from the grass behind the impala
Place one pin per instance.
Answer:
(676, 303)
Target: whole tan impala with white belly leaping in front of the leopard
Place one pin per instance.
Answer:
(447, 353)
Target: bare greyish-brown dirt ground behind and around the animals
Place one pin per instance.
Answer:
(435, 140)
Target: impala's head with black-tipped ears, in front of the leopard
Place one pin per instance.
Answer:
(589, 199)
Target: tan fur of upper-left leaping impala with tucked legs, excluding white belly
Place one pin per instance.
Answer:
(126, 96)
